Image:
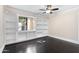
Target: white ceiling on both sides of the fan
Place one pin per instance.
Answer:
(35, 8)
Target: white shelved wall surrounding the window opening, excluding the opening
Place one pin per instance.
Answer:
(11, 30)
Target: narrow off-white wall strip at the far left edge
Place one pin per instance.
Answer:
(2, 41)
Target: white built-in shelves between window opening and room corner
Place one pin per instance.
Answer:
(42, 26)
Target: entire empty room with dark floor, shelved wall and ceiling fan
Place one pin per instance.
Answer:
(39, 28)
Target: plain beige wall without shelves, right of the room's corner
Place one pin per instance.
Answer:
(64, 24)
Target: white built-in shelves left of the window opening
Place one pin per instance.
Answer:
(9, 26)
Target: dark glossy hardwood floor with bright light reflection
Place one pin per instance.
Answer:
(42, 45)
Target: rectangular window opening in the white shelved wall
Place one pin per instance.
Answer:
(26, 23)
